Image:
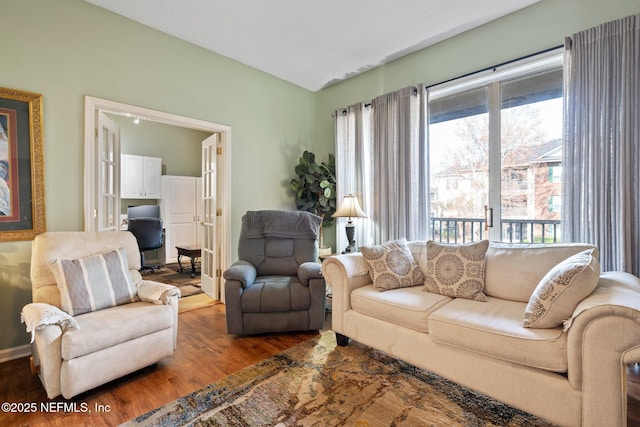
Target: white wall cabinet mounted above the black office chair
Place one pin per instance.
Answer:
(140, 177)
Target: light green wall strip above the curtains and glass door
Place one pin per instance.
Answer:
(538, 27)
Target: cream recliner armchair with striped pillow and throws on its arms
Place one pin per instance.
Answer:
(72, 354)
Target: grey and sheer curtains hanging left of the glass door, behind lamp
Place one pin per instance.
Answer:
(381, 157)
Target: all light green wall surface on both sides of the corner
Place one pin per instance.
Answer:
(65, 49)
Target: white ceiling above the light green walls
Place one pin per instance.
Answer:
(313, 43)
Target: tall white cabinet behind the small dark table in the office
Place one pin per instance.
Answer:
(181, 210)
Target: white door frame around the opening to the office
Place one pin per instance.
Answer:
(92, 105)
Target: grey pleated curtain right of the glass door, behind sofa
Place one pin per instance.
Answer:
(601, 193)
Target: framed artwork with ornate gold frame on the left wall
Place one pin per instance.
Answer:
(22, 214)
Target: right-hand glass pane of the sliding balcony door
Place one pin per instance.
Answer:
(531, 158)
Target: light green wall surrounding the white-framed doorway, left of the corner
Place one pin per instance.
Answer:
(66, 49)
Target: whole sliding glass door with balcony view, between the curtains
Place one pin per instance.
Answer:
(496, 138)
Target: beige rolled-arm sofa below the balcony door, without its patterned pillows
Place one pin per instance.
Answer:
(572, 375)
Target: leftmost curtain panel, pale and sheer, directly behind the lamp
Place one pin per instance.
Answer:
(353, 168)
